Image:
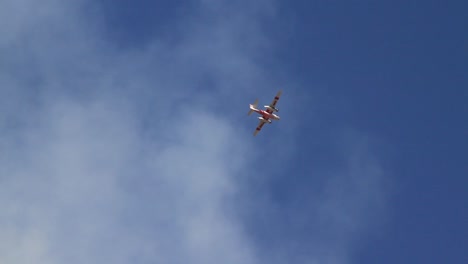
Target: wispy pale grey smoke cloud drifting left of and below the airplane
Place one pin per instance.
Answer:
(117, 155)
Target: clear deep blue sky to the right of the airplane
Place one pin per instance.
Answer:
(402, 68)
